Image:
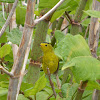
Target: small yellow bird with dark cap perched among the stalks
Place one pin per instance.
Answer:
(50, 60)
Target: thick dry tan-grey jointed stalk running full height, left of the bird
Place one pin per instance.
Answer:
(22, 54)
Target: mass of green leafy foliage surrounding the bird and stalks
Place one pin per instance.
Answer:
(73, 52)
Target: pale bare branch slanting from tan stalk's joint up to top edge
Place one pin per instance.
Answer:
(49, 12)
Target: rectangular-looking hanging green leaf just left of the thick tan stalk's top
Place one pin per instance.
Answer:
(20, 14)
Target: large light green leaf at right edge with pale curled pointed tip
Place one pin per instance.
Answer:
(84, 68)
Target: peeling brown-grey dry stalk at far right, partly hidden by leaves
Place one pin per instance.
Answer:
(93, 40)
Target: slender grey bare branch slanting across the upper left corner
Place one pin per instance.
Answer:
(9, 17)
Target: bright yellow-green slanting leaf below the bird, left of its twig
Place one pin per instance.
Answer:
(38, 86)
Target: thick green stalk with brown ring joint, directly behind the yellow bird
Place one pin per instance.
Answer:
(36, 53)
